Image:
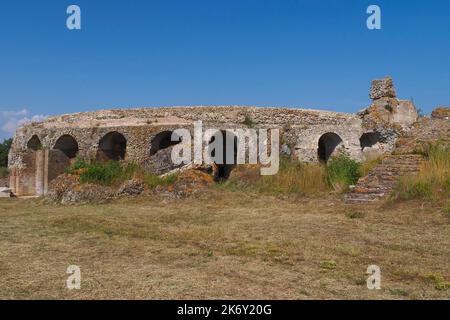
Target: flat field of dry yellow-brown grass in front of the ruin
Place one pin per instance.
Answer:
(224, 245)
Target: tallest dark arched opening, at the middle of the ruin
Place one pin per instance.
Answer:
(224, 169)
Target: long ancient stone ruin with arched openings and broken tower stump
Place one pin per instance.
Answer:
(41, 151)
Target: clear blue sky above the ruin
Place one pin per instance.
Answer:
(298, 53)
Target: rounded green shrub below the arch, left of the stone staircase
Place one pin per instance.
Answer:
(342, 171)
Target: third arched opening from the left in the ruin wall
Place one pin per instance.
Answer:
(112, 146)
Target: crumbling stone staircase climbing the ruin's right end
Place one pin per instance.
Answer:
(382, 178)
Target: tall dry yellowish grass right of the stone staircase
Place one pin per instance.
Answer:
(433, 180)
